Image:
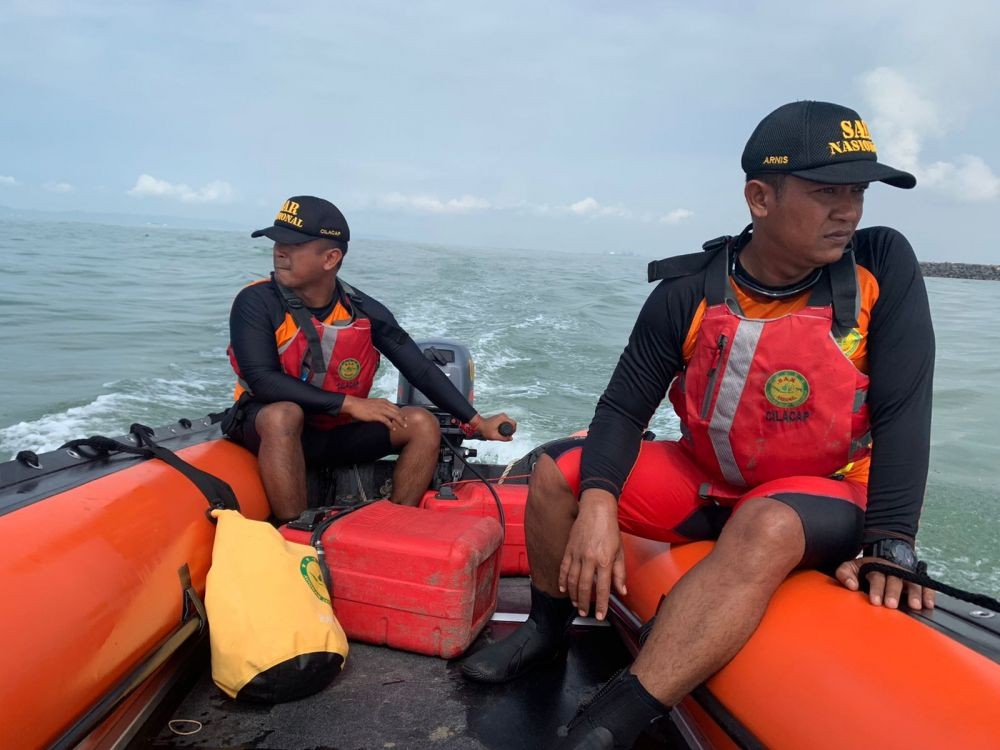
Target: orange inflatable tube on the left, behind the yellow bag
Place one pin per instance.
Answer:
(102, 570)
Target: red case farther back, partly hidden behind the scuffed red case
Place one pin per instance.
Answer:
(474, 499)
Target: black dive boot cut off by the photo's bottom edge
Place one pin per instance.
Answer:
(614, 718)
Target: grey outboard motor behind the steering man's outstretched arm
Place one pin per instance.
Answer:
(455, 361)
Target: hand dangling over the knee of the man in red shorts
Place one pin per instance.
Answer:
(594, 549)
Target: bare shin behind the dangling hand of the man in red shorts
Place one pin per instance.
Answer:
(548, 518)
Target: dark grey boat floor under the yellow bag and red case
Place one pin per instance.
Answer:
(386, 698)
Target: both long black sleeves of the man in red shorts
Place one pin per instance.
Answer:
(901, 369)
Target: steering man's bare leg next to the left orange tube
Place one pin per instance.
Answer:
(282, 464)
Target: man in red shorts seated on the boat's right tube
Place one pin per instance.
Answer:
(799, 357)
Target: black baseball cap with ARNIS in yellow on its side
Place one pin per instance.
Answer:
(821, 142)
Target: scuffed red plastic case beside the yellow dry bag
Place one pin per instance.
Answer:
(410, 579)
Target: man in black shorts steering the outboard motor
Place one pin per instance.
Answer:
(305, 347)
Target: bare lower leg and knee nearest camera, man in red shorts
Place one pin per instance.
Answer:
(715, 608)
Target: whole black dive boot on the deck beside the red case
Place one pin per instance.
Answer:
(537, 641)
